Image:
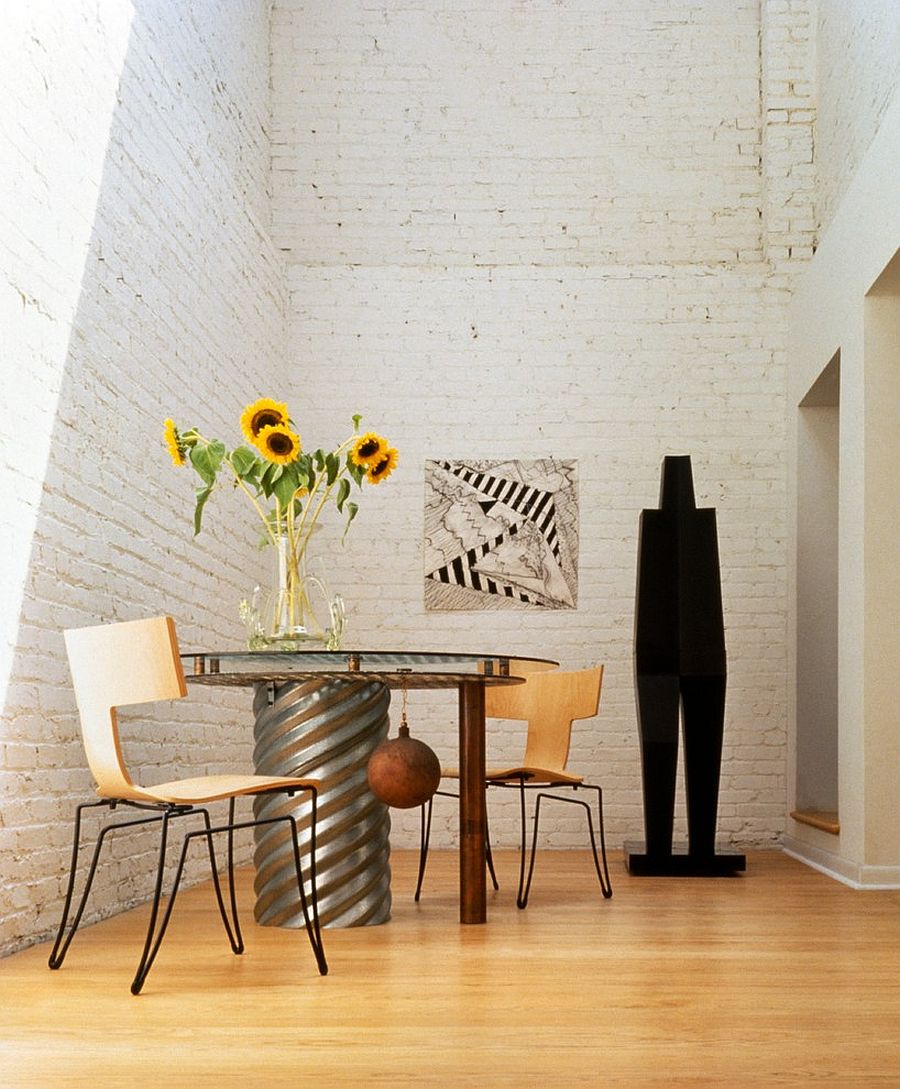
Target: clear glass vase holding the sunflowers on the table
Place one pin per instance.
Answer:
(299, 613)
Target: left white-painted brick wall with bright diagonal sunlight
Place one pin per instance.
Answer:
(140, 282)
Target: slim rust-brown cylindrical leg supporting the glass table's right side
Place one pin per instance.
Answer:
(473, 885)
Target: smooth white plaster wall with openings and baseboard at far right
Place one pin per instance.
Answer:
(834, 311)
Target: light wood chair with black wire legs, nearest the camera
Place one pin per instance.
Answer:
(138, 663)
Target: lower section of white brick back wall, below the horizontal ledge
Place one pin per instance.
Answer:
(615, 368)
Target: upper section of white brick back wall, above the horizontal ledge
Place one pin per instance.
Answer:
(586, 133)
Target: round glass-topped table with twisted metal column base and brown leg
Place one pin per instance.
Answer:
(322, 714)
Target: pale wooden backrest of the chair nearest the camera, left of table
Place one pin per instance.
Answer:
(114, 666)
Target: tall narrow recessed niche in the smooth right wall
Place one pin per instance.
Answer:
(819, 435)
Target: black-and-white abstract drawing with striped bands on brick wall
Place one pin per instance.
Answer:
(501, 535)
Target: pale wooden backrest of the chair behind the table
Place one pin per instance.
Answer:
(550, 703)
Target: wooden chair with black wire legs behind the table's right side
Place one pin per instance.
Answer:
(550, 702)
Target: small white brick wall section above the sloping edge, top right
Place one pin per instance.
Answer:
(858, 77)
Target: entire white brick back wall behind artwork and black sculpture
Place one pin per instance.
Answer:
(522, 230)
